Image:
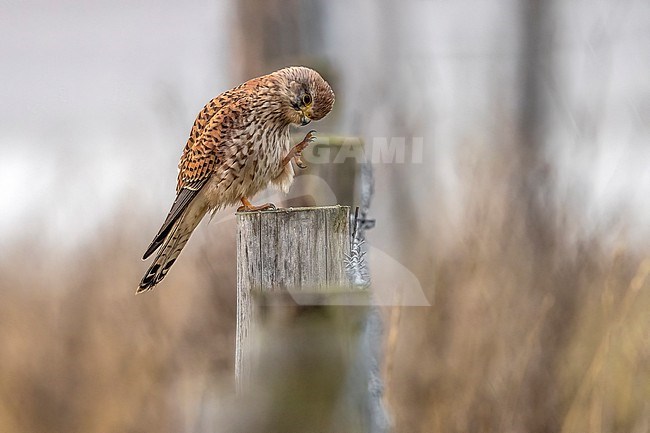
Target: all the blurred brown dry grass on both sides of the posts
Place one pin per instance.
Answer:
(520, 338)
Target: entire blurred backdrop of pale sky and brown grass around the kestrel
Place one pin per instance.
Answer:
(524, 217)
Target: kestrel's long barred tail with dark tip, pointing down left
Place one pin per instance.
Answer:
(169, 251)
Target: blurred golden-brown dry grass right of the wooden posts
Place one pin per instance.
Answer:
(523, 336)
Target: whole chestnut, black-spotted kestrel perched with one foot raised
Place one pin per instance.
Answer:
(239, 144)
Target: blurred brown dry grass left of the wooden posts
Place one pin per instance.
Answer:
(80, 352)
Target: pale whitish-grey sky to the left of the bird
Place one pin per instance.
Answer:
(91, 90)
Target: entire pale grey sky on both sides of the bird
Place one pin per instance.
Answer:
(98, 96)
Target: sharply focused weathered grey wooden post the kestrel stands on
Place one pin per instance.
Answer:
(294, 251)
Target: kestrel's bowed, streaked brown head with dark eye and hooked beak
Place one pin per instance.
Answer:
(306, 95)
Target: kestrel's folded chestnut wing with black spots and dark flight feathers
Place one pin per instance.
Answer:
(200, 157)
